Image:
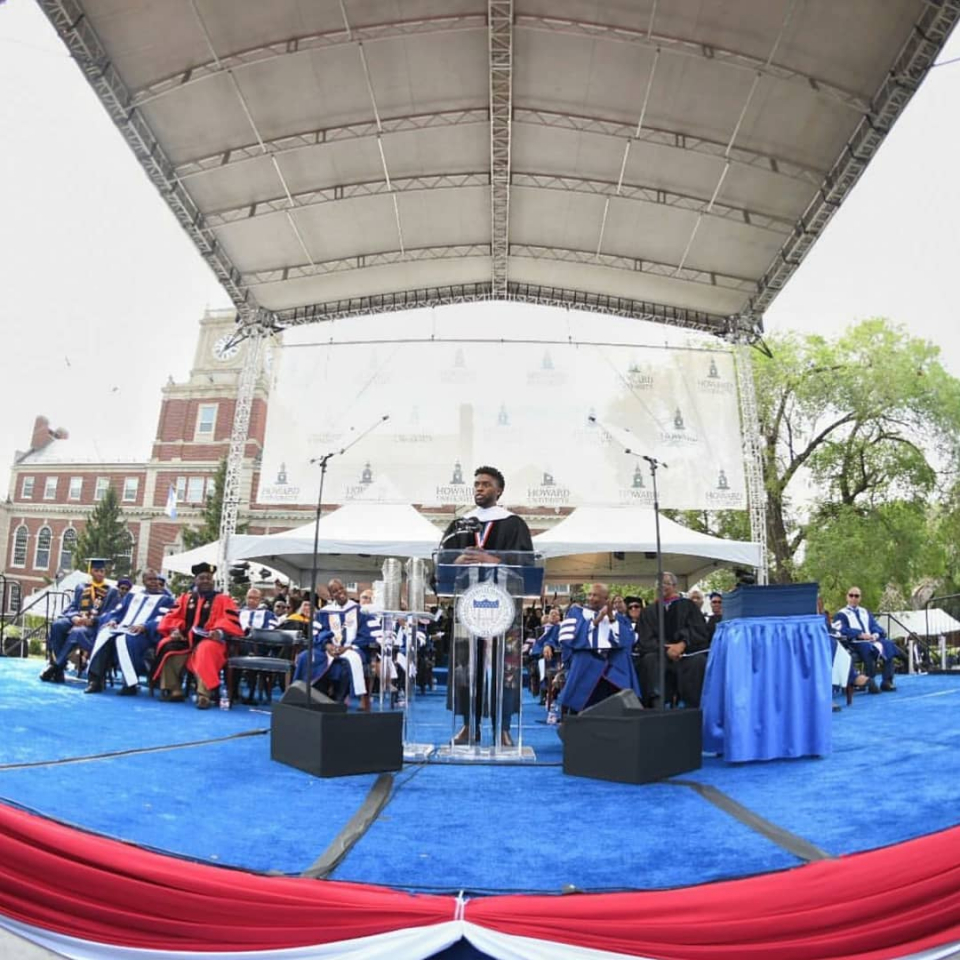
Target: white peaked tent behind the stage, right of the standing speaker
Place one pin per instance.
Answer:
(619, 544)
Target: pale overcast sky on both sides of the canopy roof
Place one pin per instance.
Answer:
(100, 290)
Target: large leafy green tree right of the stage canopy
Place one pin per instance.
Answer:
(858, 416)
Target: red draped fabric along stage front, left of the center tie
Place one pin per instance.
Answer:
(87, 886)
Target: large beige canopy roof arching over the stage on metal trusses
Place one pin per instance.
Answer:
(670, 161)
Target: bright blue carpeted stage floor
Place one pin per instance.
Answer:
(201, 785)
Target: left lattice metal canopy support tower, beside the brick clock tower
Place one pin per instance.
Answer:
(255, 332)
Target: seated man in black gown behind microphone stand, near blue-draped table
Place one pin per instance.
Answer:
(685, 645)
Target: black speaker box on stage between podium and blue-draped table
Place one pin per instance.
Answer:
(639, 746)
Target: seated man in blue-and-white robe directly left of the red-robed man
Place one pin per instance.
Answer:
(128, 635)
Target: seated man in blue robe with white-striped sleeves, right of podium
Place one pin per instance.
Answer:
(599, 642)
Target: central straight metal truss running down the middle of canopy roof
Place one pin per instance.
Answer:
(500, 34)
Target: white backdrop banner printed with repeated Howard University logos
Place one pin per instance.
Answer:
(523, 407)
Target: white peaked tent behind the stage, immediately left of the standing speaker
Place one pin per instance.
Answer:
(353, 541)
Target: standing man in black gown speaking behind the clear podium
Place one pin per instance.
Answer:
(480, 537)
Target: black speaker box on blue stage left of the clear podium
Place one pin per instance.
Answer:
(336, 744)
